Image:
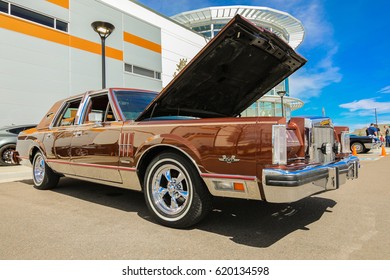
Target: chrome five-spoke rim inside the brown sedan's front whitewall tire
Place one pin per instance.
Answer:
(170, 189)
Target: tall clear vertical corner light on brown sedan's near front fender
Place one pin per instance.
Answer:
(279, 144)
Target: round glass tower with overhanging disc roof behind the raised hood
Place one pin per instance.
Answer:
(209, 21)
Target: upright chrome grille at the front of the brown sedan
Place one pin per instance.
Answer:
(321, 136)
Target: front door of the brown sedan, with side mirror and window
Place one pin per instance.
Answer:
(94, 145)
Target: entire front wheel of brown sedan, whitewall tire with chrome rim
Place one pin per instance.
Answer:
(174, 192)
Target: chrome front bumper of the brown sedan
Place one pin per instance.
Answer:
(288, 186)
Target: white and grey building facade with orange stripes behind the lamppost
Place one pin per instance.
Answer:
(49, 51)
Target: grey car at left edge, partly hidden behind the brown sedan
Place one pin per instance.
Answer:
(8, 138)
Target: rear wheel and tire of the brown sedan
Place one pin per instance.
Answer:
(43, 176)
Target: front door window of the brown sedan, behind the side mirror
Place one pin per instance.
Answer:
(98, 110)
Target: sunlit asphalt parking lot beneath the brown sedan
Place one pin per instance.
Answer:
(80, 220)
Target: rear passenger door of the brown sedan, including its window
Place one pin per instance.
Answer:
(57, 139)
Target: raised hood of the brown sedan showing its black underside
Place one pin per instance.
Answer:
(241, 64)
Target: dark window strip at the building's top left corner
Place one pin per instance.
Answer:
(27, 14)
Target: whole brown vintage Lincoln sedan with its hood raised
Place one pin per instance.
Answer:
(188, 143)
